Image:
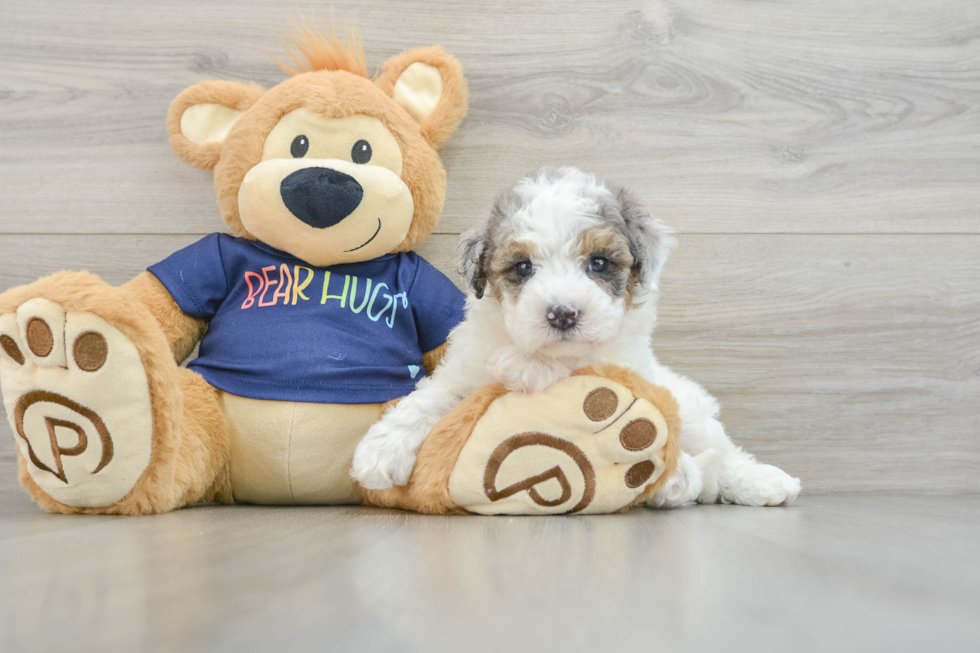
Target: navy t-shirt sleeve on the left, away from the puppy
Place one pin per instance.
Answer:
(195, 277)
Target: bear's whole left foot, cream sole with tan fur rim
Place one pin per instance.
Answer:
(90, 390)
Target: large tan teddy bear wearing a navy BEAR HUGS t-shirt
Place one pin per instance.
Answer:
(311, 317)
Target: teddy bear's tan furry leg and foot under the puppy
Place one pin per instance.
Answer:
(598, 442)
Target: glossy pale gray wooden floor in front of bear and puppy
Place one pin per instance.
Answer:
(870, 572)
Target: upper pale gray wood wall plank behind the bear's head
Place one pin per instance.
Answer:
(803, 117)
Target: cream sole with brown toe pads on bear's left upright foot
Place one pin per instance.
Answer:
(78, 402)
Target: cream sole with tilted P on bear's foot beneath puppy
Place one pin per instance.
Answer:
(585, 445)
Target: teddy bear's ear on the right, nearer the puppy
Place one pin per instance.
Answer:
(429, 85)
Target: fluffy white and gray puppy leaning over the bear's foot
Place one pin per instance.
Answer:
(564, 274)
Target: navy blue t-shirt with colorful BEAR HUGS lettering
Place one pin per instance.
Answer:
(285, 330)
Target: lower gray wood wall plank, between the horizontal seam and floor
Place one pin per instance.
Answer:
(852, 361)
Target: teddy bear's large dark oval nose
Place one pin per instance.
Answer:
(320, 197)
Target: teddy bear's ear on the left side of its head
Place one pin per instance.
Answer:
(202, 115)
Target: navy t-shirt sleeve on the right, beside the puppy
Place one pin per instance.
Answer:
(437, 304)
